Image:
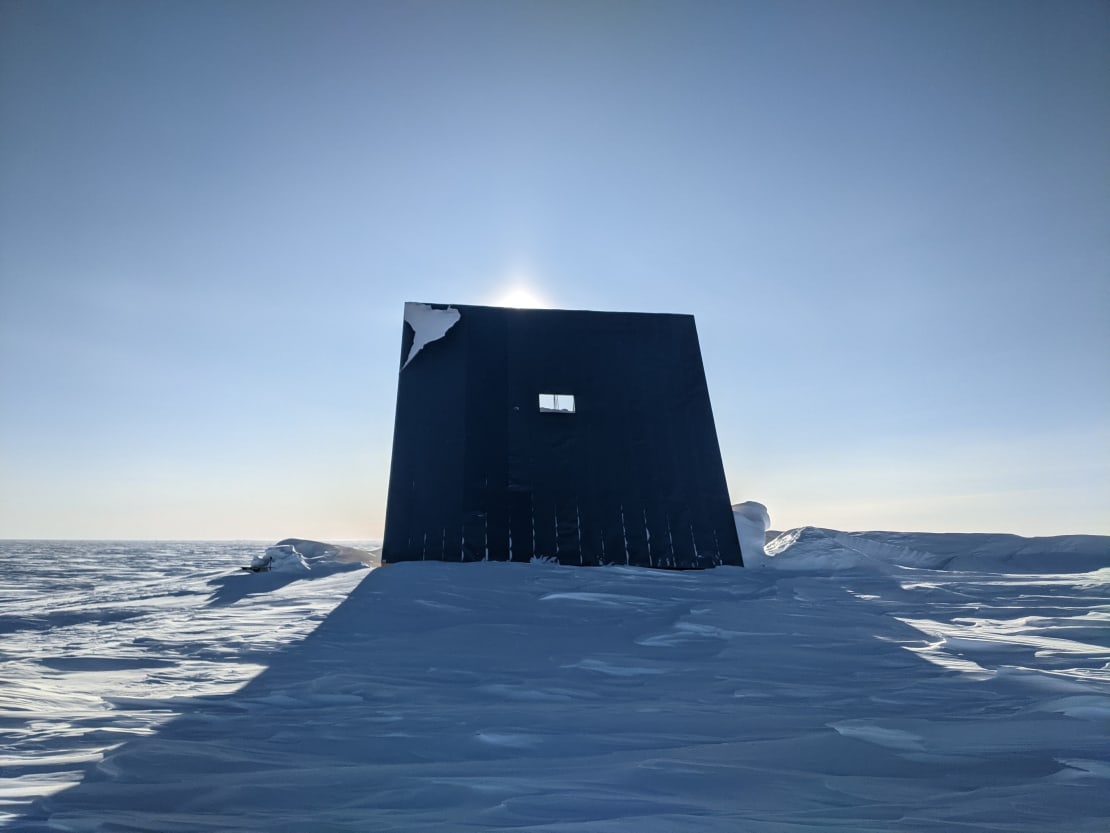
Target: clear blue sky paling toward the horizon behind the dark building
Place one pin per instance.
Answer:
(891, 219)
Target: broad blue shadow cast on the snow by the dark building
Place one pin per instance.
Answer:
(531, 697)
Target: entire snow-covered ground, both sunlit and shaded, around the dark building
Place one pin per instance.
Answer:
(856, 683)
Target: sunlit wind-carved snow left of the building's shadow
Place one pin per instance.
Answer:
(104, 643)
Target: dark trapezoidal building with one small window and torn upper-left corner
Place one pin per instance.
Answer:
(582, 437)
